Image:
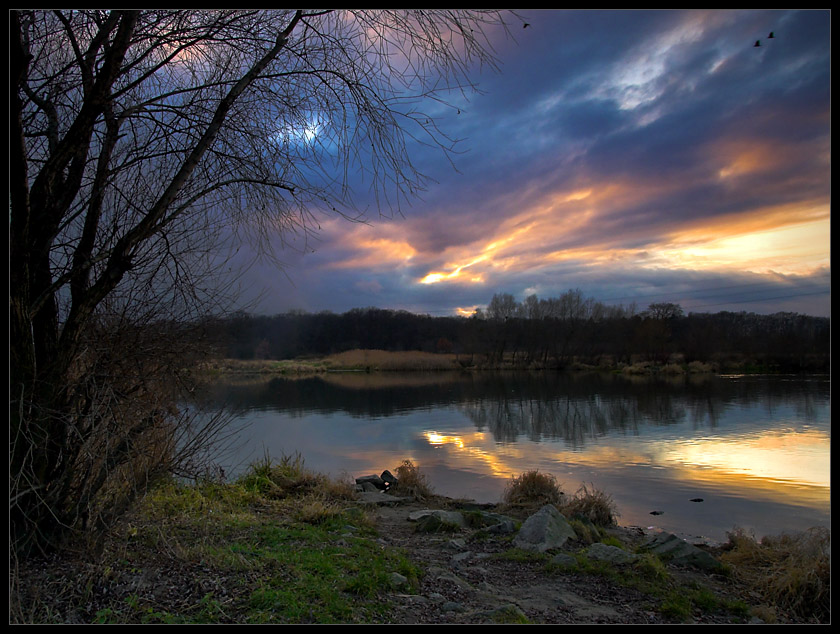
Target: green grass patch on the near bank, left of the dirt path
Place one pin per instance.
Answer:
(288, 545)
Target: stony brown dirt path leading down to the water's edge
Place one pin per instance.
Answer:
(467, 582)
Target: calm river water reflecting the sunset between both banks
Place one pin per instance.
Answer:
(756, 449)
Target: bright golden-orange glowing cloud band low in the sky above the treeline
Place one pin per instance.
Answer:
(788, 239)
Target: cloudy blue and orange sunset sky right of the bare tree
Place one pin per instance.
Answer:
(639, 156)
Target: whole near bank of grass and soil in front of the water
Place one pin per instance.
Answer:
(282, 544)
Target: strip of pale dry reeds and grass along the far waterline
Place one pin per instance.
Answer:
(418, 361)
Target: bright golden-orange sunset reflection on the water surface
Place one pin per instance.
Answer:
(788, 466)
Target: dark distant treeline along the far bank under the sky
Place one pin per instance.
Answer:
(555, 332)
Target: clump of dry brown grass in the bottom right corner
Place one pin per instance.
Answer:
(793, 572)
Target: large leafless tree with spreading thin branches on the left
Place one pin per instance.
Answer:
(141, 141)
